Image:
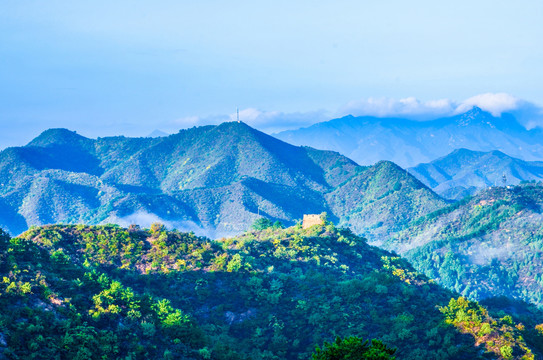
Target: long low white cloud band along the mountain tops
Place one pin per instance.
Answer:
(528, 114)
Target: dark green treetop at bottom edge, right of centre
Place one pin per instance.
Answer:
(354, 348)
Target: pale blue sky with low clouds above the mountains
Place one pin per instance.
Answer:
(129, 66)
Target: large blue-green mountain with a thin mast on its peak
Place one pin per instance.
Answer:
(215, 180)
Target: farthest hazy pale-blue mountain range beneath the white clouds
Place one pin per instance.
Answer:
(408, 143)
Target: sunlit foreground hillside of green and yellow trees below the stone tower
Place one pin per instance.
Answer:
(104, 292)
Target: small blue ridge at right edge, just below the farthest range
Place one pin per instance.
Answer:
(464, 172)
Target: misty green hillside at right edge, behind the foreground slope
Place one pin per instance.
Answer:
(487, 245)
